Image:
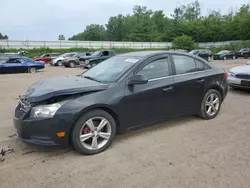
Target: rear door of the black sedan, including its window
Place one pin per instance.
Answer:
(189, 84)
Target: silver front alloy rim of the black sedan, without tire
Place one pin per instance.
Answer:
(95, 133)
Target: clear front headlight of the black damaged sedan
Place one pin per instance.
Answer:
(45, 111)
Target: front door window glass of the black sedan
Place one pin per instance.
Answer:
(156, 69)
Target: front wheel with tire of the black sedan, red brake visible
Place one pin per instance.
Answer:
(93, 132)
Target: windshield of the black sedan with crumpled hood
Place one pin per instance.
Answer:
(111, 69)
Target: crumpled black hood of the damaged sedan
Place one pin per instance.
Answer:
(64, 85)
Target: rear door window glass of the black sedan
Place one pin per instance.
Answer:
(184, 64)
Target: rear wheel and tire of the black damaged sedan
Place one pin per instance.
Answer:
(210, 105)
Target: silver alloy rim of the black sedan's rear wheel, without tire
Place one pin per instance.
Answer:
(212, 104)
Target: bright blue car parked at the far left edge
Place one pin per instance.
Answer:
(20, 64)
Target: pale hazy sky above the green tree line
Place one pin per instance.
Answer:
(46, 19)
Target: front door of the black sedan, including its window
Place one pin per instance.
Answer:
(150, 102)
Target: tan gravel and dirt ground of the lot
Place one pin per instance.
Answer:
(185, 152)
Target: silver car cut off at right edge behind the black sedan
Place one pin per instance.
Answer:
(239, 77)
